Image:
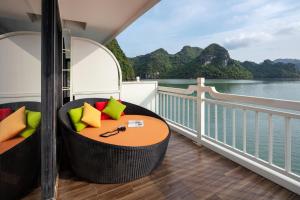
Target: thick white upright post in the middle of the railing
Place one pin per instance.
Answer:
(200, 109)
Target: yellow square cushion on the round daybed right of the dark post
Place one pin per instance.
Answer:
(91, 115)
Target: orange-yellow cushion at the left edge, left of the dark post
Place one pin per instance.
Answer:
(13, 124)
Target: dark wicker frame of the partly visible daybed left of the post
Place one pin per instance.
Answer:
(20, 165)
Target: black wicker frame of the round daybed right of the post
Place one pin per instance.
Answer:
(106, 163)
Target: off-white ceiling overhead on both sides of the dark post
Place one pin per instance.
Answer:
(100, 20)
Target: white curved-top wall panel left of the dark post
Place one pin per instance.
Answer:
(20, 67)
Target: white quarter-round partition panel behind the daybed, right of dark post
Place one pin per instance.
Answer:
(95, 72)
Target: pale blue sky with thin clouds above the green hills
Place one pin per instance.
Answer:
(252, 30)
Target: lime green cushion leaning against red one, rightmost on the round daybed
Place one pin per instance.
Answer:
(114, 108)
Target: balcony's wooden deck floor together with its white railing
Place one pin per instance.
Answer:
(209, 156)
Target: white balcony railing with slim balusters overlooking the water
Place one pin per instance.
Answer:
(255, 132)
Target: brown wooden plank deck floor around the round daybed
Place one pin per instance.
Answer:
(188, 172)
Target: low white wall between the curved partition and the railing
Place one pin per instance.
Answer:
(141, 93)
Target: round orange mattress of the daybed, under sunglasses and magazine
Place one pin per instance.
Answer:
(154, 131)
